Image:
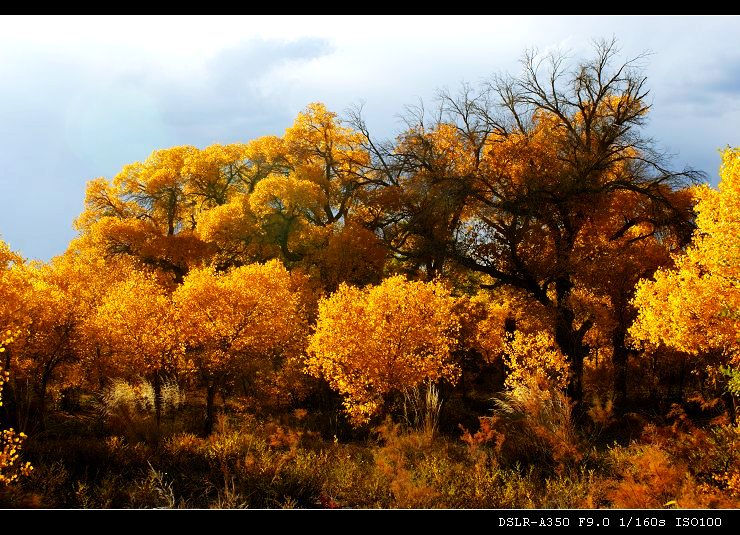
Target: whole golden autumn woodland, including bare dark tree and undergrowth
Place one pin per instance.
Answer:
(517, 302)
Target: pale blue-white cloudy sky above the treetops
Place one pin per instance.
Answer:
(82, 96)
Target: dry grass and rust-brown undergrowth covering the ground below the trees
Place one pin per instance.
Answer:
(529, 455)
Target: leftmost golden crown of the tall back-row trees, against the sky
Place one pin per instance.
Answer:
(148, 210)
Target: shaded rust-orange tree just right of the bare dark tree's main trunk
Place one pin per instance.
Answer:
(610, 264)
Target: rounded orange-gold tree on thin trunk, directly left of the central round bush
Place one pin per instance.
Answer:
(232, 321)
